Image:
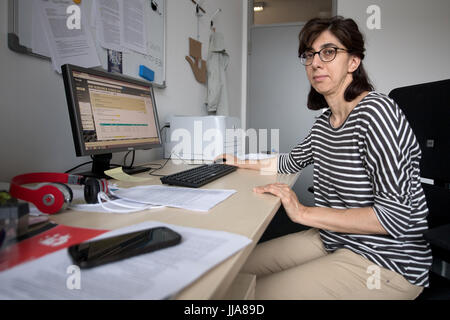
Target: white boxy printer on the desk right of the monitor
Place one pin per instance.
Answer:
(202, 137)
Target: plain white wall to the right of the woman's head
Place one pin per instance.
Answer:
(412, 45)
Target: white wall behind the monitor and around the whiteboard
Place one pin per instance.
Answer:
(34, 122)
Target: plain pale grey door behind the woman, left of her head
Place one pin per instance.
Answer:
(278, 88)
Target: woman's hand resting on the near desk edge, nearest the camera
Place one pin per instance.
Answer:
(292, 206)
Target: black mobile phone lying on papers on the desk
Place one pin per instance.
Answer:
(97, 252)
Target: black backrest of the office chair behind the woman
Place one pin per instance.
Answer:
(427, 109)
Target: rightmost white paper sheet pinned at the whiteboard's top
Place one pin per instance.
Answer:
(132, 24)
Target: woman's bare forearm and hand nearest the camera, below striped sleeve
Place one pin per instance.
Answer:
(357, 221)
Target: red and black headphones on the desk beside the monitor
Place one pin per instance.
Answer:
(55, 196)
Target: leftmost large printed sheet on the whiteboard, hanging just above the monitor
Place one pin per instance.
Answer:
(74, 46)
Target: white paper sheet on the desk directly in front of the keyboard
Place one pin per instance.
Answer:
(186, 198)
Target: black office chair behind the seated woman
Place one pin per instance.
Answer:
(427, 109)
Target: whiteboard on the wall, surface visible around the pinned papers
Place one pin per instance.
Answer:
(20, 38)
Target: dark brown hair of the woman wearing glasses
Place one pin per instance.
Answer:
(346, 30)
